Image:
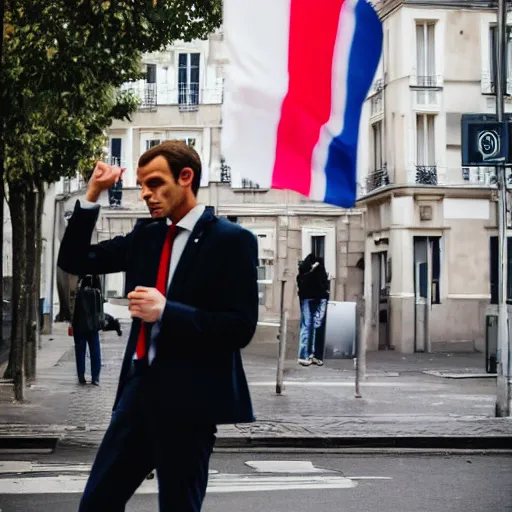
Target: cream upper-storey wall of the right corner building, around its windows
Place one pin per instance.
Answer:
(462, 57)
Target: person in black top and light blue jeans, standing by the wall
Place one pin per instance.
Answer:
(313, 290)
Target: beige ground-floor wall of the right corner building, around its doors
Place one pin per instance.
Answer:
(465, 219)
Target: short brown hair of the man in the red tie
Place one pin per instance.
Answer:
(178, 155)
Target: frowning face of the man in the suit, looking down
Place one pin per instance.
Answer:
(162, 194)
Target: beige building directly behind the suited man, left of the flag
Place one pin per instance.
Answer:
(181, 98)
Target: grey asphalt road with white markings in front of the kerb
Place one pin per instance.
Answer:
(292, 482)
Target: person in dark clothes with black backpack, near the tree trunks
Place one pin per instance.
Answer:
(86, 326)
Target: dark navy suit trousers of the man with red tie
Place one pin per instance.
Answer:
(140, 439)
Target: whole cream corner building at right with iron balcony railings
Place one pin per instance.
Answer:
(431, 224)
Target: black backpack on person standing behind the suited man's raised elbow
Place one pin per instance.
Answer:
(88, 316)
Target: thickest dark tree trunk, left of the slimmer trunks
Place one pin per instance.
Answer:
(16, 367)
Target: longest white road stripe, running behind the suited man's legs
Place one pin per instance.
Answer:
(222, 483)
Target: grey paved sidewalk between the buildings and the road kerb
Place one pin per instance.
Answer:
(400, 400)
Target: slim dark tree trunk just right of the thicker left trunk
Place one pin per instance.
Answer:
(30, 289)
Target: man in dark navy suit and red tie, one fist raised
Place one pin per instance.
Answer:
(191, 281)
